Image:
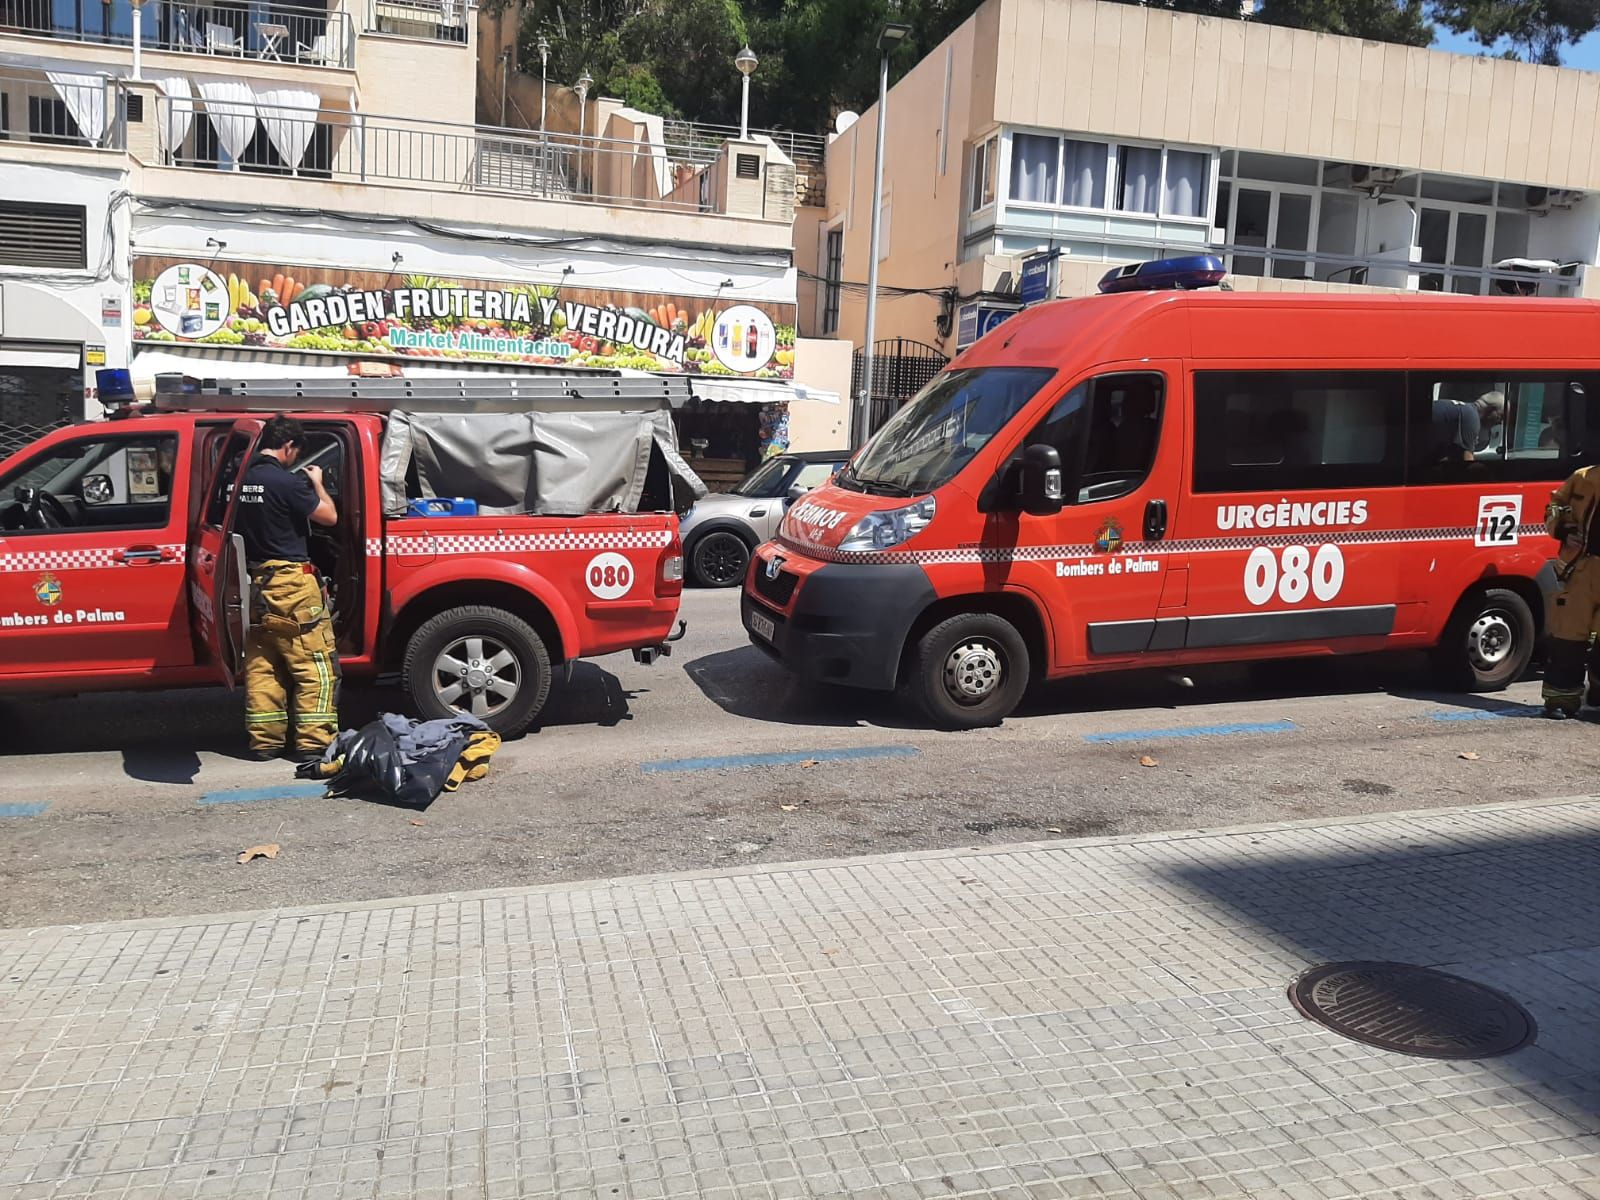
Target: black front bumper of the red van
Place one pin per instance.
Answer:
(846, 625)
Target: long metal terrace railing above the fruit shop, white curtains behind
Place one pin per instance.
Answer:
(361, 148)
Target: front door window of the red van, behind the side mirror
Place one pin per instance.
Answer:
(1106, 433)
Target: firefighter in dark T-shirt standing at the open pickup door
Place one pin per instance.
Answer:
(292, 665)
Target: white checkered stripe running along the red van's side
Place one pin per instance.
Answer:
(1030, 554)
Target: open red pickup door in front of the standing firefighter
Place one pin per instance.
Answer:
(218, 574)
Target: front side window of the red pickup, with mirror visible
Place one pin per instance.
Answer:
(122, 482)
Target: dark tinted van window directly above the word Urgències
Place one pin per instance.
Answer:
(1290, 431)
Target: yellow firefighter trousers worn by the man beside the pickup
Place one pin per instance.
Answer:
(292, 665)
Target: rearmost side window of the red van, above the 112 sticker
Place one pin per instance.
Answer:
(1498, 426)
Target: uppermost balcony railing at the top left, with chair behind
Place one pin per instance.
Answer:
(268, 33)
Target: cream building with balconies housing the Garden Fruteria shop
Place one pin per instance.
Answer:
(281, 190)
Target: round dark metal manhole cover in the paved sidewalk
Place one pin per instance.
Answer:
(1414, 1010)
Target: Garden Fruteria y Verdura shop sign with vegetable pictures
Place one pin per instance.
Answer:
(252, 306)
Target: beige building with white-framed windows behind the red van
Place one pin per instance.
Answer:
(1084, 135)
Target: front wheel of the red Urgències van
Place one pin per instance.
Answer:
(969, 671)
